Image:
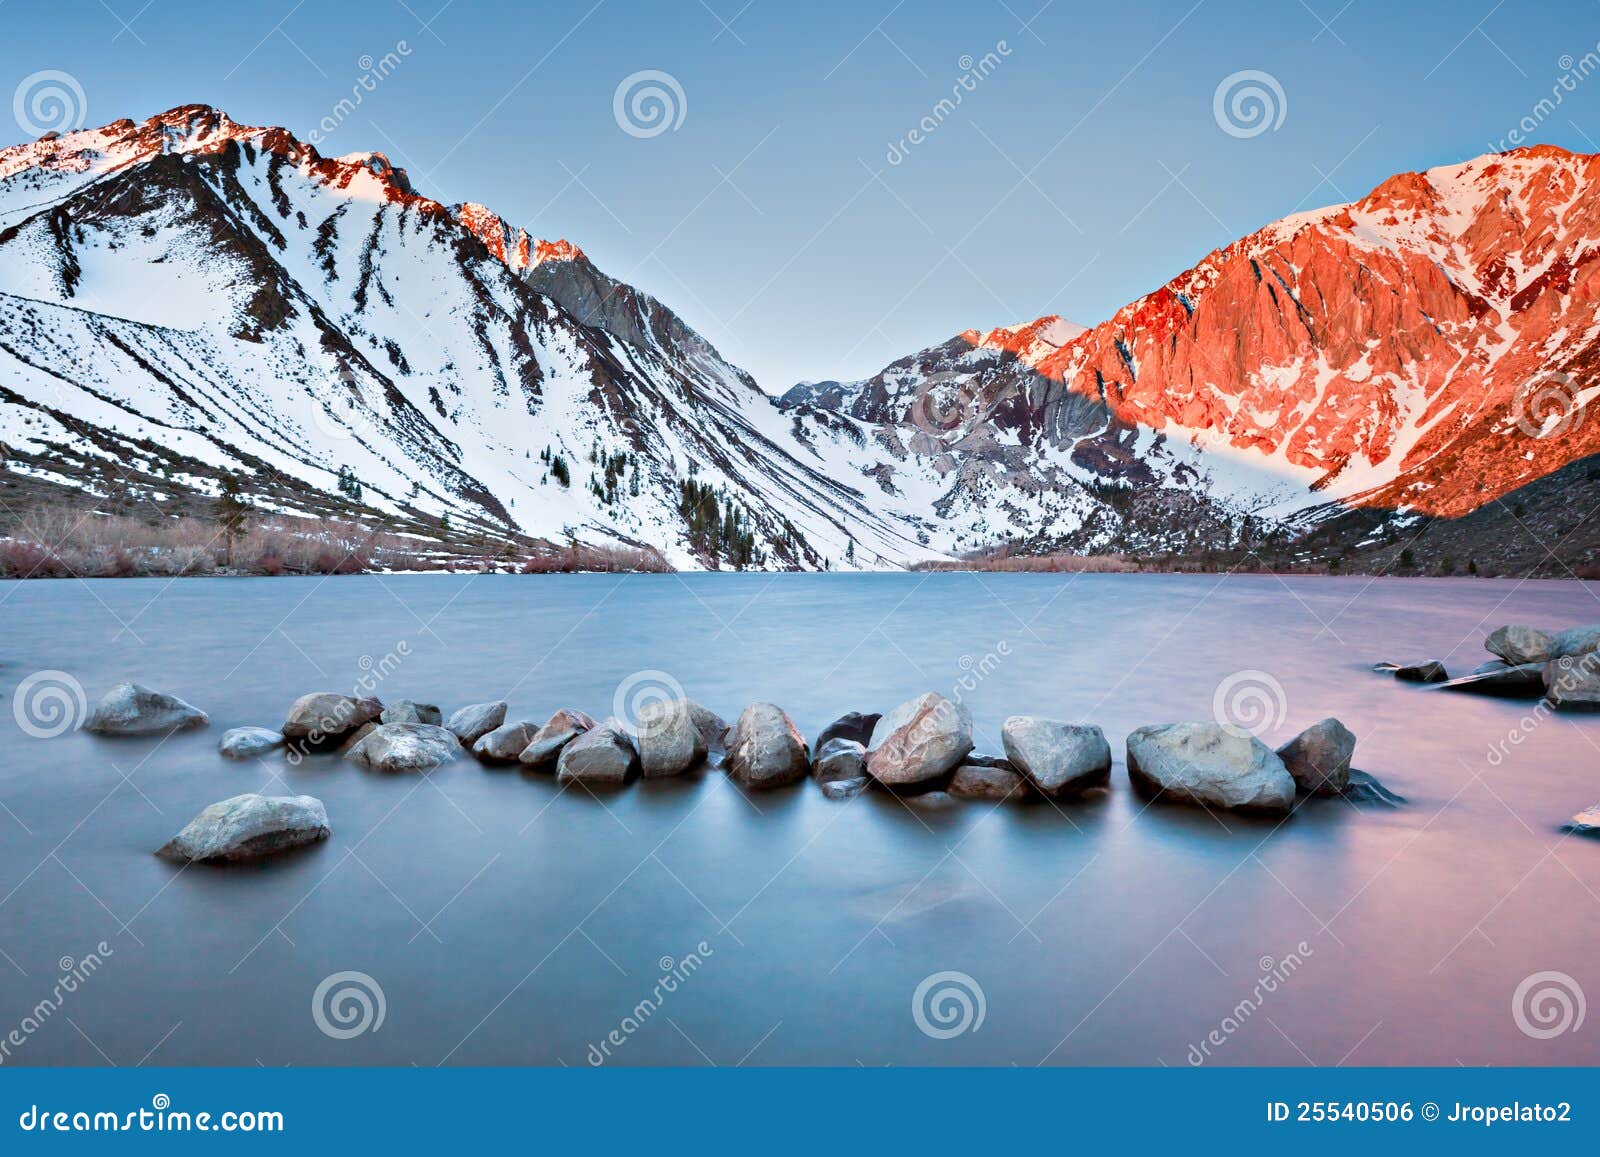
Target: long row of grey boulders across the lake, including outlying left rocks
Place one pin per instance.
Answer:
(922, 751)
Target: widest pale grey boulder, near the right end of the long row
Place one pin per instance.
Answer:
(1210, 766)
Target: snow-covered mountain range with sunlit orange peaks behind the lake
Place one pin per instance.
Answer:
(190, 298)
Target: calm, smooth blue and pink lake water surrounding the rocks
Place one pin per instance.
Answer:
(508, 923)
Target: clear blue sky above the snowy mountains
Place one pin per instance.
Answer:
(1084, 170)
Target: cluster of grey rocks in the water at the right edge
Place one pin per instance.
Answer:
(1561, 668)
